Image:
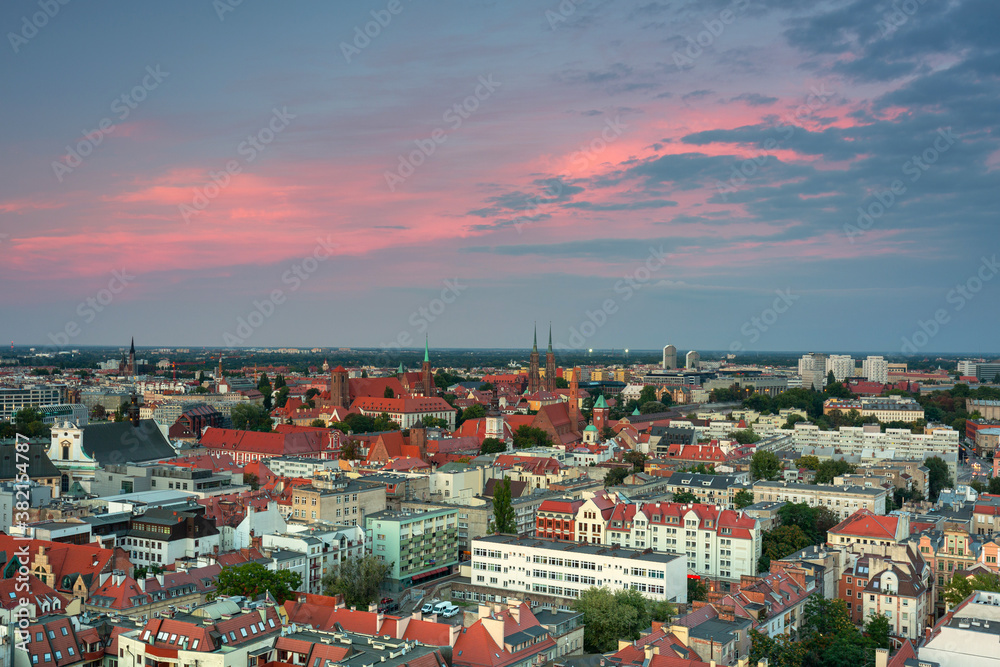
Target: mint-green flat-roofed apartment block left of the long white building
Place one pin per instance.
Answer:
(421, 546)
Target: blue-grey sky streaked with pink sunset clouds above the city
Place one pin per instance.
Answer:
(739, 175)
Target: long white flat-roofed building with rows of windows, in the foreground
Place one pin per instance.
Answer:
(526, 565)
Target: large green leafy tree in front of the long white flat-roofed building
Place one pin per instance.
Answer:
(609, 616)
